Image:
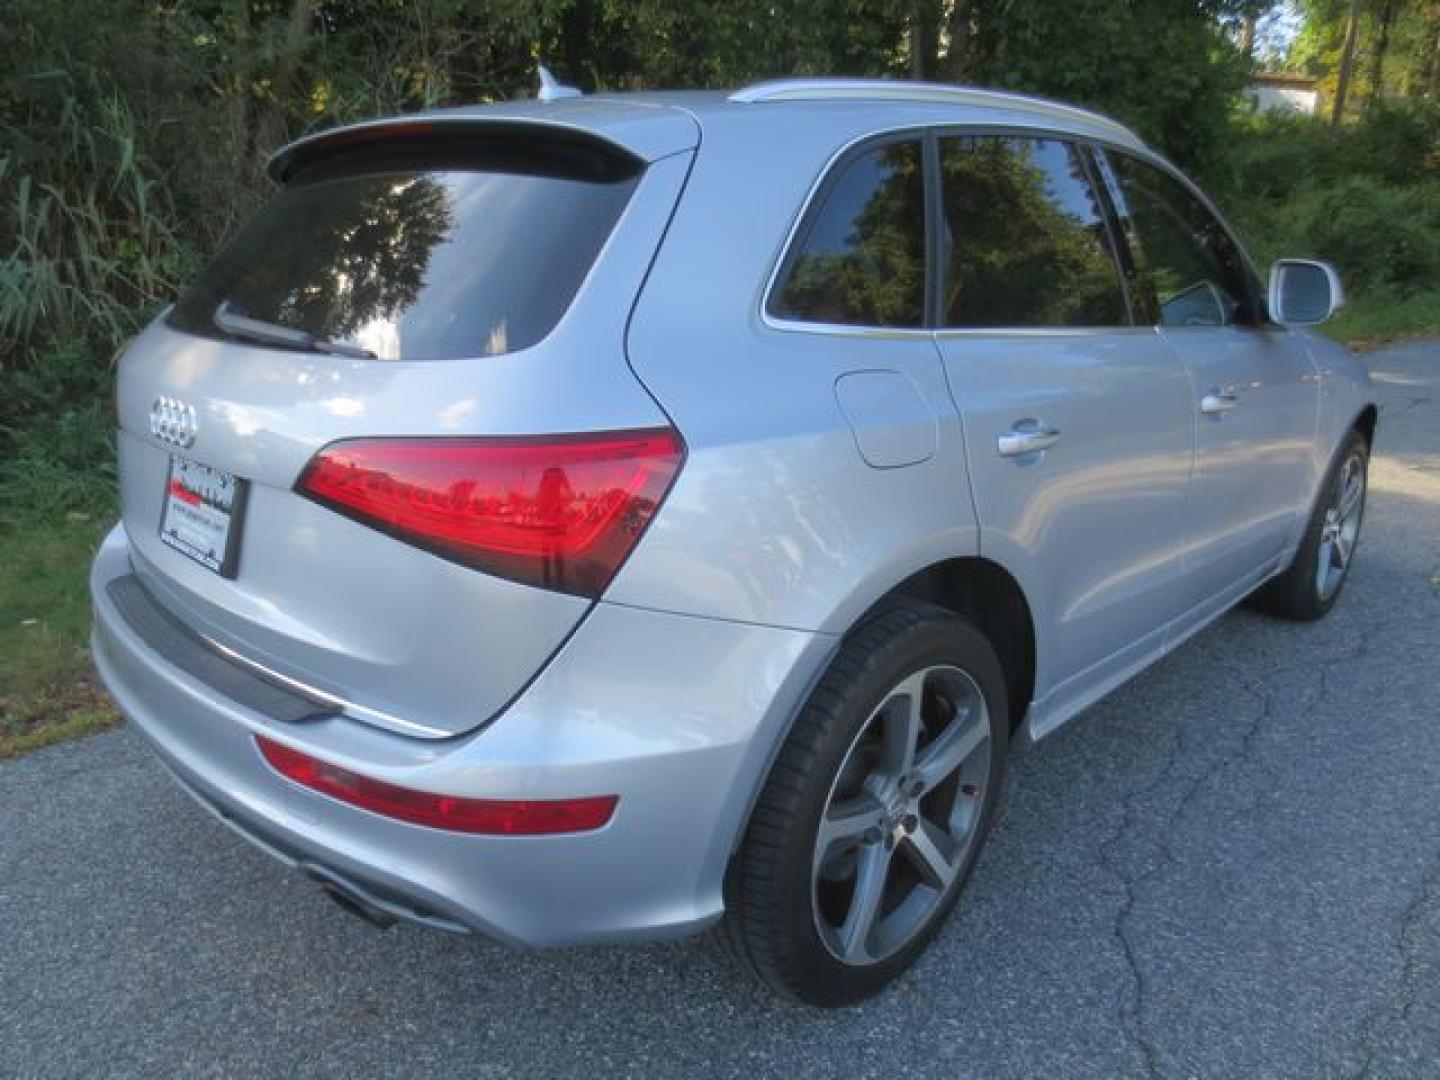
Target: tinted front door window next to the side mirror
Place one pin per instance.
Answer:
(1187, 258)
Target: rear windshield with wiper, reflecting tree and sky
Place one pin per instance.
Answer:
(410, 264)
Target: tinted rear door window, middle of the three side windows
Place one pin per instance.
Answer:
(1027, 238)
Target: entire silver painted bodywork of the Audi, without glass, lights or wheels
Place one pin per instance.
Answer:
(826, 466)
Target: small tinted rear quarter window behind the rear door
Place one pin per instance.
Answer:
(862, 257)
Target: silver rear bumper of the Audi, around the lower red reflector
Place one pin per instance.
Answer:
(679, 716)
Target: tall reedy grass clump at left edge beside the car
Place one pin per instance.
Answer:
(87, 253)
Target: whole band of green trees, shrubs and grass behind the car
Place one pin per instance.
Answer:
(133, 139)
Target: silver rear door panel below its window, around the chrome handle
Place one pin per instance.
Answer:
(1092, 528)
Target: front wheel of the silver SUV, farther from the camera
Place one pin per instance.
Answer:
(1310, 588)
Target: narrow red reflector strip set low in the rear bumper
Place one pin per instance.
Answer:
(492, 817)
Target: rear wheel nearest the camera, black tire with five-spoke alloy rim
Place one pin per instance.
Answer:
(875, 811)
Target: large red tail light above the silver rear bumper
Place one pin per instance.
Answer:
(561, 512)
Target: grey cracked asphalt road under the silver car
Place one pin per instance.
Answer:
(1229, 868)
